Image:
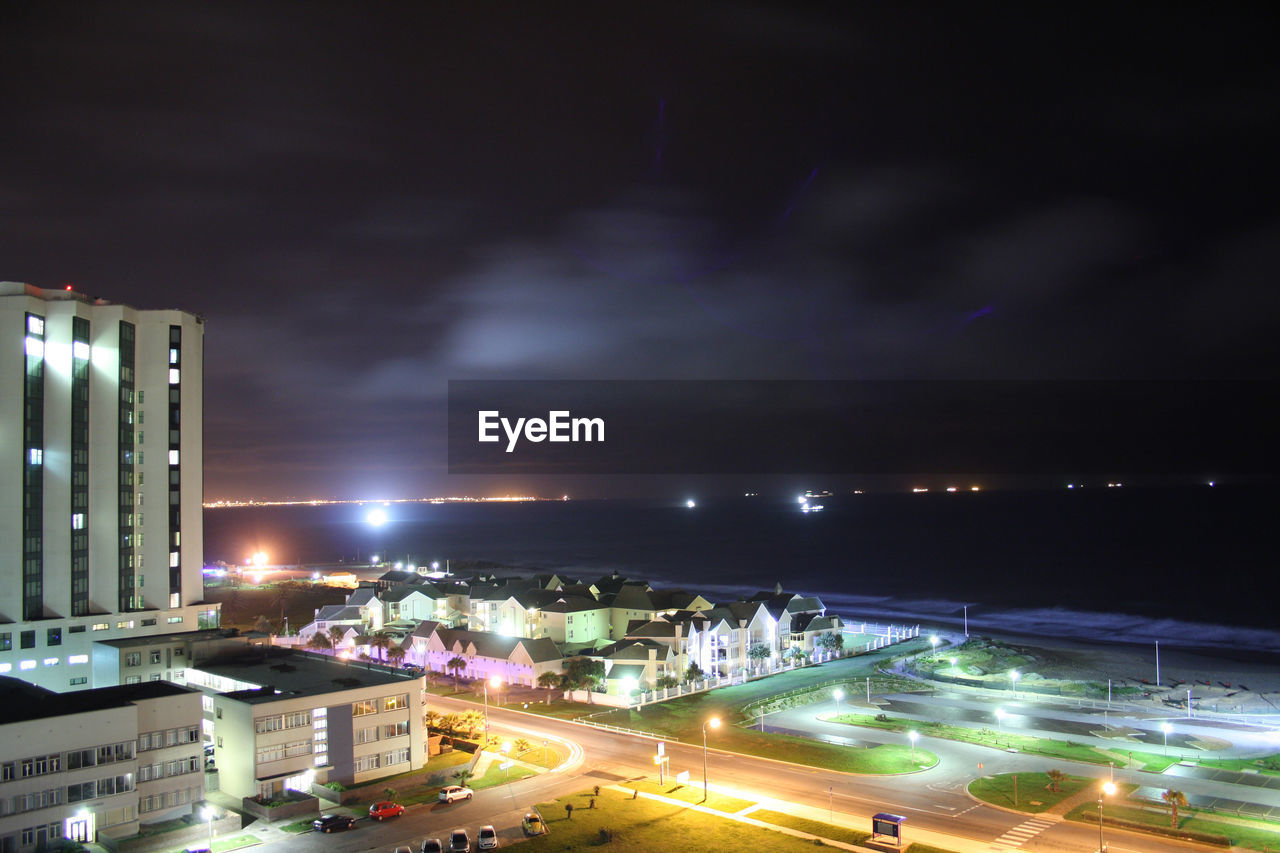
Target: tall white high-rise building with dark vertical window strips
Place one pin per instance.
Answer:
(100, 480)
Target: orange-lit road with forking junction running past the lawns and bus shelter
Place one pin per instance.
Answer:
(932, 801)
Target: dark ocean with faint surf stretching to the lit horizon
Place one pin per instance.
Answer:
(1191, 567)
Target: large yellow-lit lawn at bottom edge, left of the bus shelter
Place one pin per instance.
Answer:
(644, 825)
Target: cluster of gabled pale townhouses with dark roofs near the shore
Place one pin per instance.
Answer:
(659, 640)
